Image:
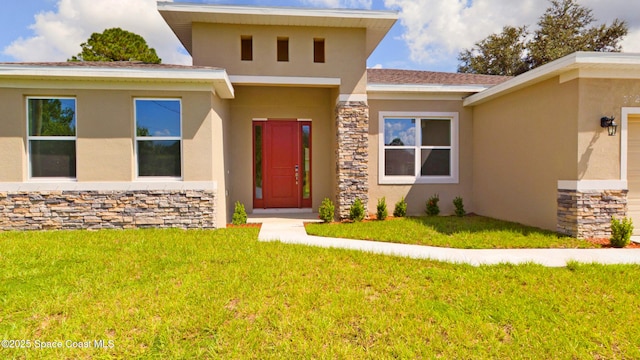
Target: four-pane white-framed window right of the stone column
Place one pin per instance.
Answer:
(418, 148)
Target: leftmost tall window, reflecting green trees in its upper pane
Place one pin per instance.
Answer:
(52, 137)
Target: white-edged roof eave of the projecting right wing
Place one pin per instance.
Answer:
(577, 65)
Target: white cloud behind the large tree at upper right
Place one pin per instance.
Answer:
(437, 30)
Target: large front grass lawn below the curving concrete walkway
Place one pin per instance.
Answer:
(223, 294)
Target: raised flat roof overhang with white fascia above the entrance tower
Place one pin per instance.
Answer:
(180, 16)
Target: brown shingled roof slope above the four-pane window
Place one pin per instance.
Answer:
(404, 77)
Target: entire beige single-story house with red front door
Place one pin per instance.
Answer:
(279, 111)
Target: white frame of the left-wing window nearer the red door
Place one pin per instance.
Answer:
(156, 138)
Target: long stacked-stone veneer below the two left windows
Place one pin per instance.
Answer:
(58, 210)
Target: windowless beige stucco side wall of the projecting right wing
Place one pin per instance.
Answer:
(523, 143)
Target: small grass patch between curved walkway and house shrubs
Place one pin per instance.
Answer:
(469, 232)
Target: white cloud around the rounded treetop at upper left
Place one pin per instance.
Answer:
(58, 34)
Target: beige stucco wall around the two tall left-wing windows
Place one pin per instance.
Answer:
(105, 135)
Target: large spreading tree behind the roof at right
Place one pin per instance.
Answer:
(564, 28)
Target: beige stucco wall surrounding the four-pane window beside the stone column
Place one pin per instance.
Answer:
(416, 195)
